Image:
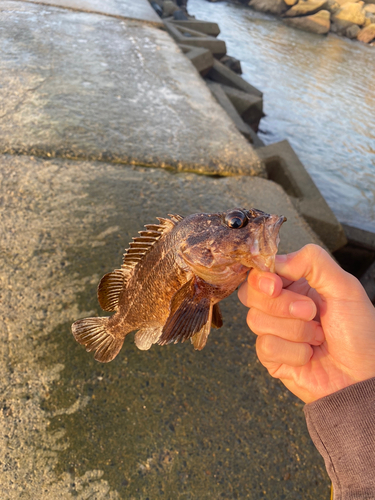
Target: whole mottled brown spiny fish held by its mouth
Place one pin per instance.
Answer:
(173, 276)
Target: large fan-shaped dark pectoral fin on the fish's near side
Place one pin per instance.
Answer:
(190, 311)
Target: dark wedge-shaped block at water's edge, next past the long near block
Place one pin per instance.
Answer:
(249, 106)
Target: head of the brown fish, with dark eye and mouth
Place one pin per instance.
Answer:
(217, 246)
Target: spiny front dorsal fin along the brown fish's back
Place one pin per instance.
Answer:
(142, 244)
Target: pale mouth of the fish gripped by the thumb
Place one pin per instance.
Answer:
(264, 244)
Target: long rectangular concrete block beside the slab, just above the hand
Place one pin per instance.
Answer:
(284, 167)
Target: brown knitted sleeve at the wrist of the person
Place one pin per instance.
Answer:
(342, 427)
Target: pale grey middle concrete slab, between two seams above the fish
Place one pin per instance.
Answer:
(82, 85)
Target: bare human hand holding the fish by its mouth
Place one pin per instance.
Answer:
(314, 322)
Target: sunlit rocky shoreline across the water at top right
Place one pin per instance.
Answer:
(350, 18)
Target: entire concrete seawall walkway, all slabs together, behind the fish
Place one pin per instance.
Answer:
(105, 125)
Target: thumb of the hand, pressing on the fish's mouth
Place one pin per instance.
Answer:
(314, 264)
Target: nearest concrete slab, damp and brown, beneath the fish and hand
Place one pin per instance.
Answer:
(167, 423)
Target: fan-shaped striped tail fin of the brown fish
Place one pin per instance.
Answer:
(94, 334)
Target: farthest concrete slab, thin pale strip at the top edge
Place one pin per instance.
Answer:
(140, 10)
